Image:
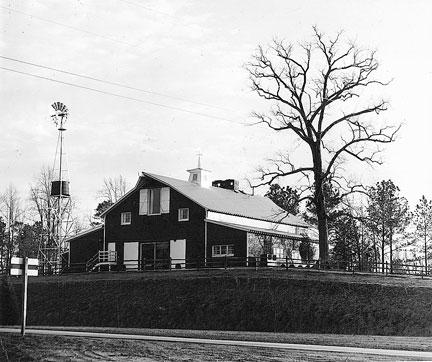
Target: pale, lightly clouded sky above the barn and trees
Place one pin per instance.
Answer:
(189, 92)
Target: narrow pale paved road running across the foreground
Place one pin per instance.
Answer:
(289, 346)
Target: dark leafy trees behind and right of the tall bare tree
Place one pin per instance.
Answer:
(368, 236)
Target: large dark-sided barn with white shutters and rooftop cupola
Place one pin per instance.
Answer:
(165, 222)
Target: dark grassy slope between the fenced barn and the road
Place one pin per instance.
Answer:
(266, 300)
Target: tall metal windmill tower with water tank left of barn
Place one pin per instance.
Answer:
(53, 251)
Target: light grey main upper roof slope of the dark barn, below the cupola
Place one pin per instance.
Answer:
(230, 202)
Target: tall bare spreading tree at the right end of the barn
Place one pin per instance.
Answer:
(315, 89)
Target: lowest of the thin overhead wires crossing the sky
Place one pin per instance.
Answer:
(121, 96)
